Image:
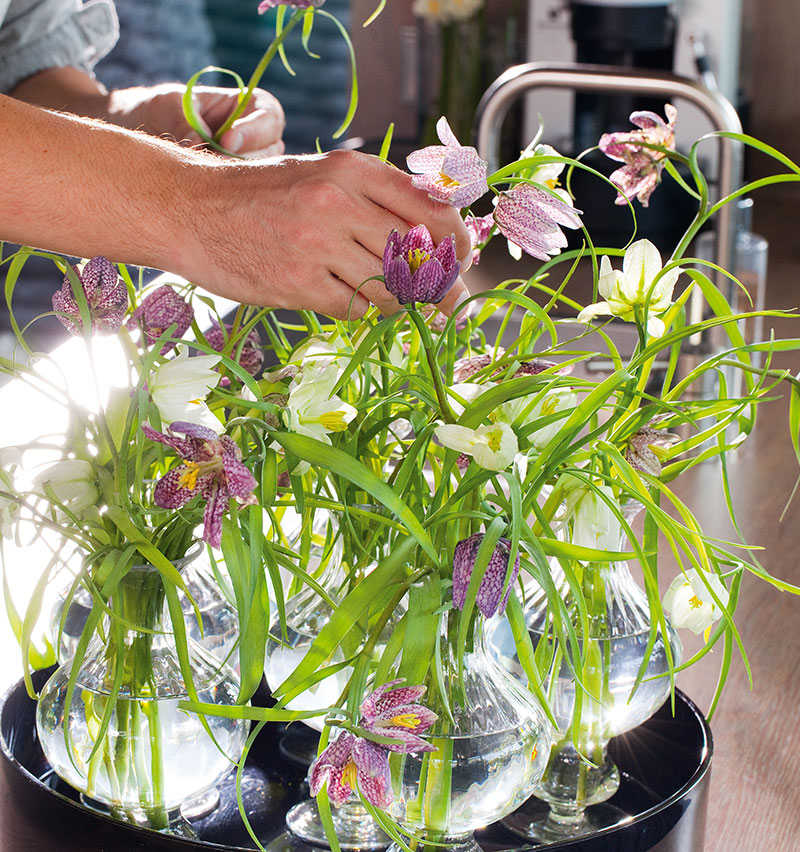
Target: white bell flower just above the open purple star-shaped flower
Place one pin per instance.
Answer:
(179, 388)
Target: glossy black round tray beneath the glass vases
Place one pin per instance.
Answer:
(664, 766)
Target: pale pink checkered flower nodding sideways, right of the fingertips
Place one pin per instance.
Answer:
(532, 219)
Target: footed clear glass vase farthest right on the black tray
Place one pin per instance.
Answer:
(593, 698)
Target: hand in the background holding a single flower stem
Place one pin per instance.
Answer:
(158, 110)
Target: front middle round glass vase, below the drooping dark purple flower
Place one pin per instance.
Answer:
(492, 742)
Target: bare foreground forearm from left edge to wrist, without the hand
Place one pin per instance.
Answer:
(82, 187)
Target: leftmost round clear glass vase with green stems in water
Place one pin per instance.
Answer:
(110, 724)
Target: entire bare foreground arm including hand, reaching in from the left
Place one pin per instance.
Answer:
(296, 232)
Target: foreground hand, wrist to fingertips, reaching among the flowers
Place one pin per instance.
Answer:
(307, 232)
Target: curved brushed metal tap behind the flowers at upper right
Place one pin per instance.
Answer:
(519, 79)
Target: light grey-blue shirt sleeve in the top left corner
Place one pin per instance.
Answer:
(39, 34)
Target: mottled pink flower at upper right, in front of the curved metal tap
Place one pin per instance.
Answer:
(643, 164)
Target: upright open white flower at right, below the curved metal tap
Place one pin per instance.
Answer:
(634, 288)
